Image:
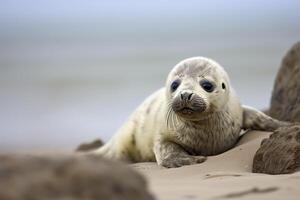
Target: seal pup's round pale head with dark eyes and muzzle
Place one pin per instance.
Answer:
(197, 87)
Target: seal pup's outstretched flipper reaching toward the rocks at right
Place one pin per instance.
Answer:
(256, 120)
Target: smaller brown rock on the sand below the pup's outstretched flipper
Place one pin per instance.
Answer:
(280, 153)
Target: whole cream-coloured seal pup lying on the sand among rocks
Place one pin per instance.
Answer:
(196, 114)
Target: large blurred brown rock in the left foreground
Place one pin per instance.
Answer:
(68, 178)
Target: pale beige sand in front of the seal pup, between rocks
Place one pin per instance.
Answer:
(225, 176)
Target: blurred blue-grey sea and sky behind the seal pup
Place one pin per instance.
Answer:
(72, 71)
